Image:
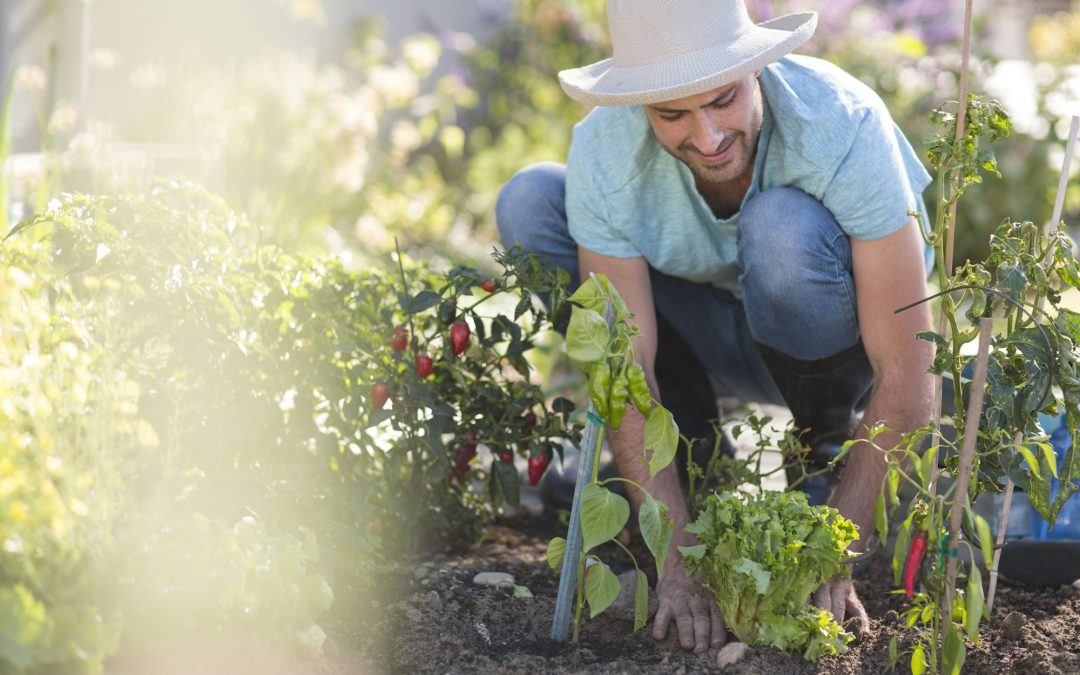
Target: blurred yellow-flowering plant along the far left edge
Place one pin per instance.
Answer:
(69, 433)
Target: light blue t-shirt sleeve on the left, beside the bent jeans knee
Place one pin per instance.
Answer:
(589, 219)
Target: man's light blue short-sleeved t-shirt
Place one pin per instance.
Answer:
(823, 132)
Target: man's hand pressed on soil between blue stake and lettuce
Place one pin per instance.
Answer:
(692, 607)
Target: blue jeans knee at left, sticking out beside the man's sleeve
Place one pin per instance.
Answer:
(532, 193)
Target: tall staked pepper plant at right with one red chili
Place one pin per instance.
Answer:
(1032, 369)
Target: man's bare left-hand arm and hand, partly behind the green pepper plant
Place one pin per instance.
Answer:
(682, 600)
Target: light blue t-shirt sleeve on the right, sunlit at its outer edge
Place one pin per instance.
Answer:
(879, 182)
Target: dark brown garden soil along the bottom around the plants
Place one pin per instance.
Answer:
(441, 623)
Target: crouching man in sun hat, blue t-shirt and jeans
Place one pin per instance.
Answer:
(754, 211)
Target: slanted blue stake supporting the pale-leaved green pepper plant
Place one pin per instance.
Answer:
(572, 557)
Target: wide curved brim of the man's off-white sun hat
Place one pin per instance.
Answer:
(604, 84)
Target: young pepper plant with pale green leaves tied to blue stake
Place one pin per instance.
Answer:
(616, 382)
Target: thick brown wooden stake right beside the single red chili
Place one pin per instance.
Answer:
(964, 471)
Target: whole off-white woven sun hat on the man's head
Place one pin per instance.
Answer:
(666, 50)
